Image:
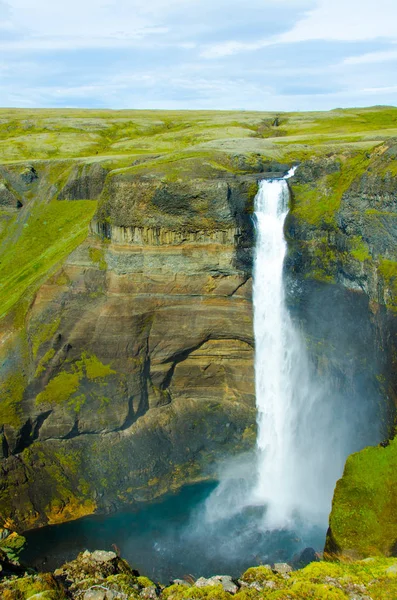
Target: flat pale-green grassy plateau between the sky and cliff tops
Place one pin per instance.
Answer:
(116, 136)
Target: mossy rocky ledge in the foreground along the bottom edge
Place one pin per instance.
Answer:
(103, 575)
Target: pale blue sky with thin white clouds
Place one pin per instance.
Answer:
(198, 54)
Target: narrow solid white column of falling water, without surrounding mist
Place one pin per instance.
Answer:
(275, 354)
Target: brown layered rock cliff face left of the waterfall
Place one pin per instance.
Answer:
(133, 370)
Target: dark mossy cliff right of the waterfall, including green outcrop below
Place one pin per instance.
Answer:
(343, 232)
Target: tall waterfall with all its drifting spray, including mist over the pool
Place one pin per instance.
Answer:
(278, 498)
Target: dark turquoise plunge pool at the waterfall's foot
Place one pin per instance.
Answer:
(171, 538)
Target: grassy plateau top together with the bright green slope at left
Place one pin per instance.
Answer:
(173, 145)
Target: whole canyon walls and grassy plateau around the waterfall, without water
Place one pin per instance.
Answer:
(127, 346)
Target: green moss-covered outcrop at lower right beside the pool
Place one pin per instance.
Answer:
(363, 516)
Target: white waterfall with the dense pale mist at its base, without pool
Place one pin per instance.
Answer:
(305, 428)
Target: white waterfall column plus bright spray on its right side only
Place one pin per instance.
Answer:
(290, 457)
